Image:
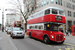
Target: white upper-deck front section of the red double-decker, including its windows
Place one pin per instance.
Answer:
(54, 10)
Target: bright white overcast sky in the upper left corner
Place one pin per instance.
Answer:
(6, 4)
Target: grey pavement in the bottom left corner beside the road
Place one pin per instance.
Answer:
(5, 42)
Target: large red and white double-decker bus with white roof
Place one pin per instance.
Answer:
(44, 25)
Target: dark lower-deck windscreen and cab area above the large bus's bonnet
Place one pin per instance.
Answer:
(53, 26)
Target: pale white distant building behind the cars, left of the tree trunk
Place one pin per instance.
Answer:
(11, 18)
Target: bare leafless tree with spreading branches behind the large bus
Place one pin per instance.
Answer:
(30, 6)
